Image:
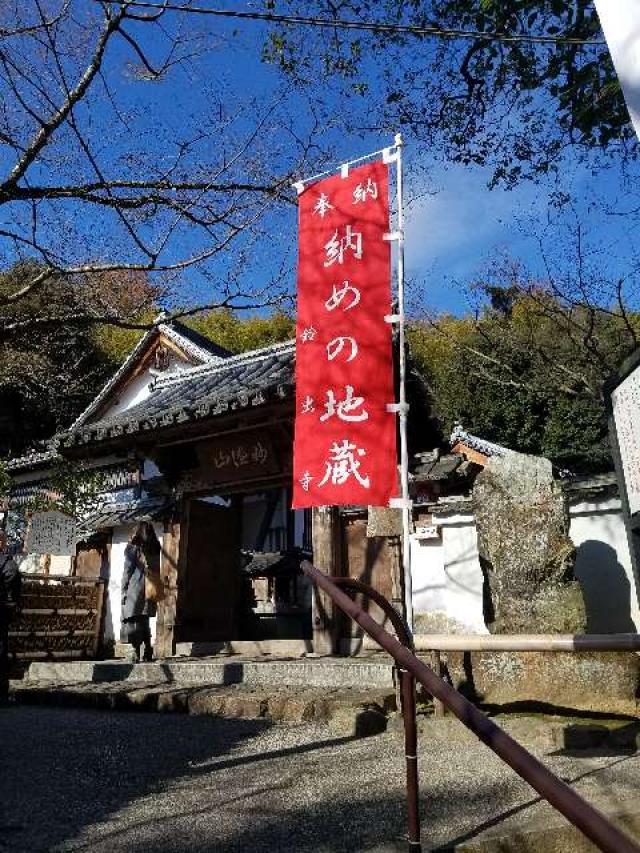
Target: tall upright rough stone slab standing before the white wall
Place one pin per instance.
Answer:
(525, 551)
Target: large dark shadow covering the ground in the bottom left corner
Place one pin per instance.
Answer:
(62, 769)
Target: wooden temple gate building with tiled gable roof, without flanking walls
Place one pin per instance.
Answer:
(200, 441)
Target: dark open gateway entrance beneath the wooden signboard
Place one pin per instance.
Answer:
(242, 578)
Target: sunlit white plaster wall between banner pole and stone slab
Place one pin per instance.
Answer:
(447, 579)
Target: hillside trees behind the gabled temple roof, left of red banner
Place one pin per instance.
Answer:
(50, 371)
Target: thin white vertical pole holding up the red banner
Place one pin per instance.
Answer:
(403, 408)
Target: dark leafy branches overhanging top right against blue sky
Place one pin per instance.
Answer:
(513, 105)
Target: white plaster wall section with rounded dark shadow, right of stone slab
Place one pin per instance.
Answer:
(603, 566)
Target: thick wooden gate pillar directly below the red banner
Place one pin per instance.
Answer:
(327, 552)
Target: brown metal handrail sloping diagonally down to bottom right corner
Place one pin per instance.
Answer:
(561, 796)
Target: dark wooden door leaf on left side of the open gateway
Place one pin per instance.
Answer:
(212, 580)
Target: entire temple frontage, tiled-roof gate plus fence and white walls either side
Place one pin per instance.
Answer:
(199, 441)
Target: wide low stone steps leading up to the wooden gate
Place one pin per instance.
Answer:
(354, 696)
